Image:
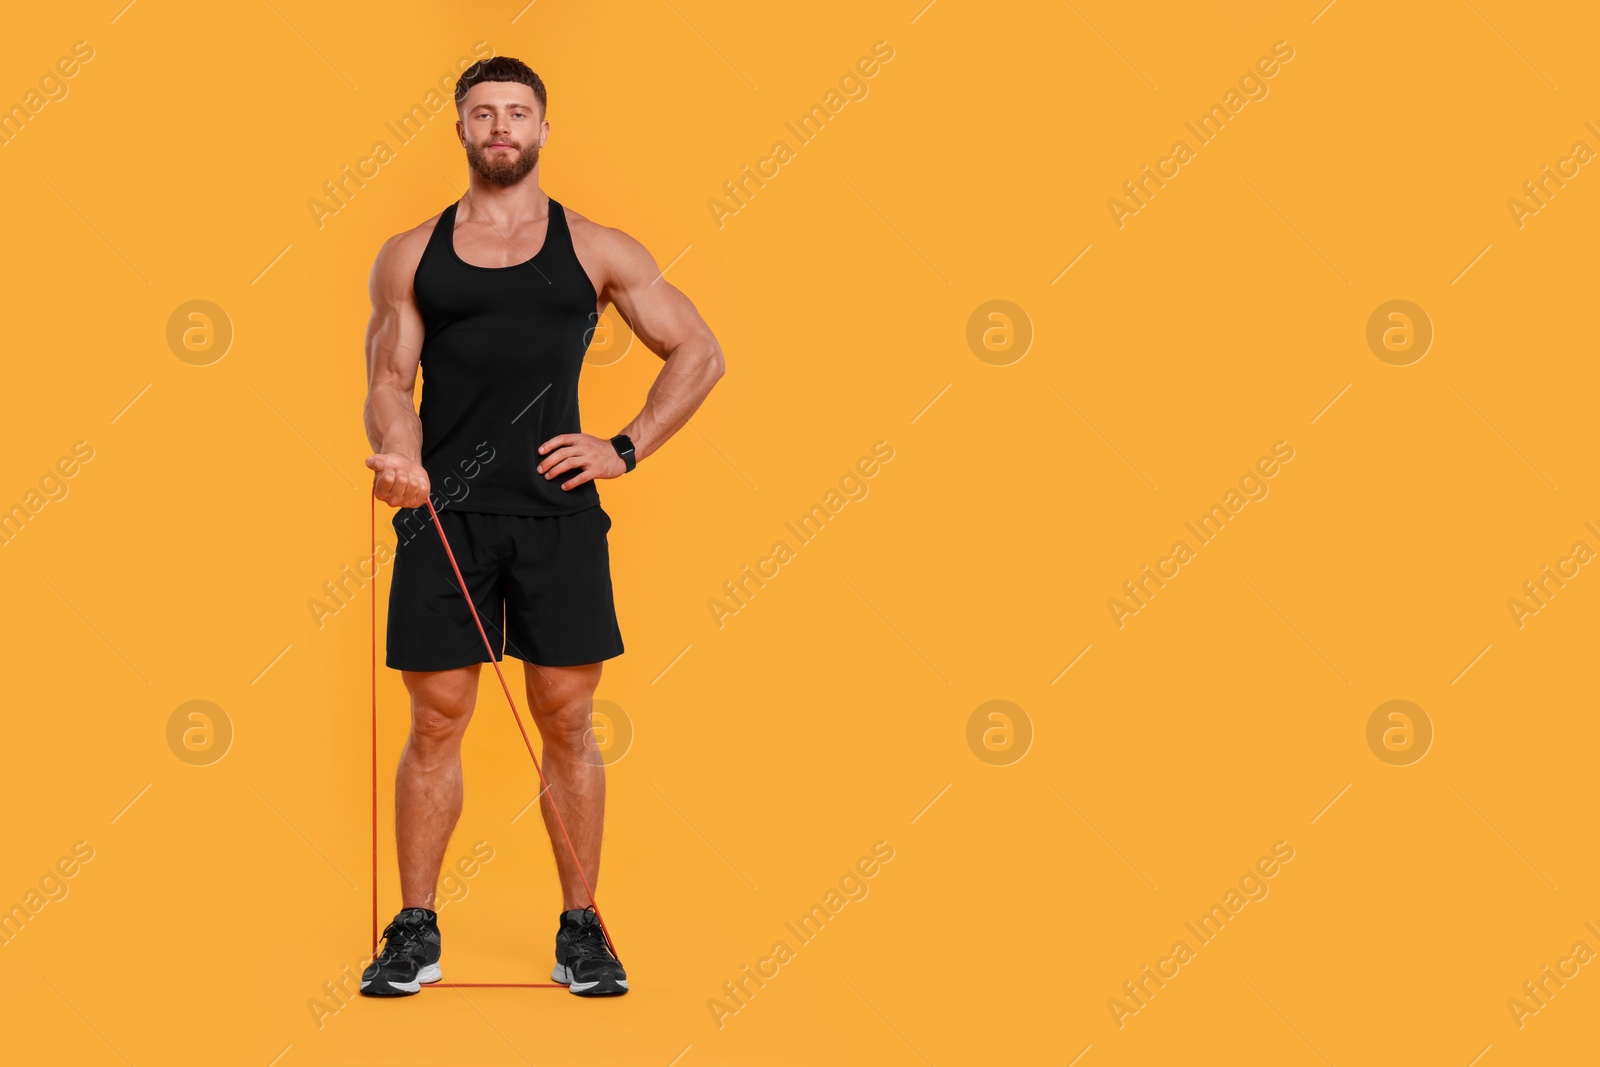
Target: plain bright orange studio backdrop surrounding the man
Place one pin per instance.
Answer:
(1041, 860)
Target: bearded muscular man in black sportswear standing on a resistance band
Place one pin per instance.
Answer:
(497, 298)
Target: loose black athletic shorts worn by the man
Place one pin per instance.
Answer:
(542, 585)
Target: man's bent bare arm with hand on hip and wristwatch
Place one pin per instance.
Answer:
(670, 326)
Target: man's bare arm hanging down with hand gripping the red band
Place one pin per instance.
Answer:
(394, 348)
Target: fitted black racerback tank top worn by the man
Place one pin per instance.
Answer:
(502, 353)
